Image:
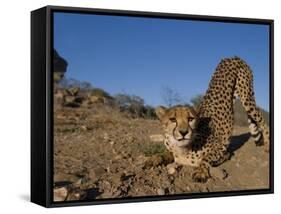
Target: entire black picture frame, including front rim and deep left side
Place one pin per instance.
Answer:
(42, 101)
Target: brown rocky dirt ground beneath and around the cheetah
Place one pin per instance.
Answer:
(102, 153)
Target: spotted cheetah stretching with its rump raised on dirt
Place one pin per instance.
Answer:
(200, 137)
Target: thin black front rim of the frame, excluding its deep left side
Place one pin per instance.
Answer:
(49, 103)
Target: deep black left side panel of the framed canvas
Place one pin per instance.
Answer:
(38, 151)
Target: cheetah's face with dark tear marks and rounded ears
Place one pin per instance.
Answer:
(179, 123)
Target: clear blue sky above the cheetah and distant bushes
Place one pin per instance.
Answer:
(140, 56)
